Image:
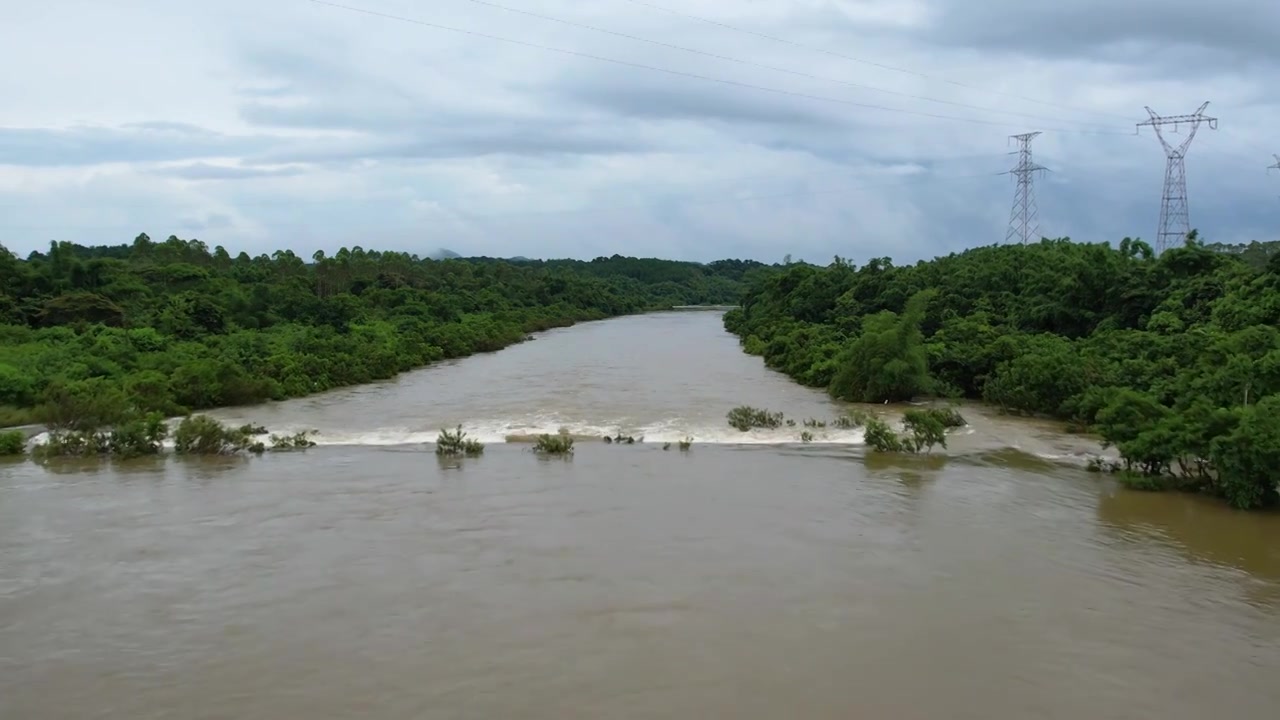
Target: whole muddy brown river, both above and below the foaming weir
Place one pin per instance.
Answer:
(753, 577)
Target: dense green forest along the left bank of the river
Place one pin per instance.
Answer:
(173, 327)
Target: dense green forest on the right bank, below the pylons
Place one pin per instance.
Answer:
(1174, 359)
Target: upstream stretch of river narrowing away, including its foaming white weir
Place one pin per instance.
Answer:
(659, 377)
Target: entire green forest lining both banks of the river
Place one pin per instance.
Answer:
(1174, 359)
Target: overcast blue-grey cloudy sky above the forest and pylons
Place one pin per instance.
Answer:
(290, 124)
